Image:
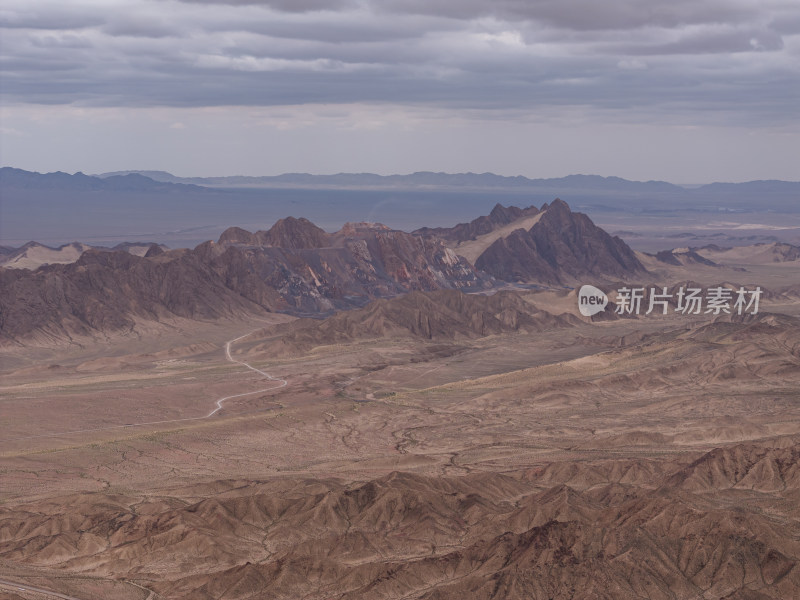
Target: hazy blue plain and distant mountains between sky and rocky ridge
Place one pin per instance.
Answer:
(155, 206)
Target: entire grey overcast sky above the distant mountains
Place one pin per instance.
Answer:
(688, 91)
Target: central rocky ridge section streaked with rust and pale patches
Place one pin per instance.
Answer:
(315, 272)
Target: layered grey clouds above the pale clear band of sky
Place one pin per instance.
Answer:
(687, 61)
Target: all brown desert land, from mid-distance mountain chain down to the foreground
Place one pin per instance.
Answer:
(447, 425)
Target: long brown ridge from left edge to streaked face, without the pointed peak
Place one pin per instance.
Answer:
(294, 267)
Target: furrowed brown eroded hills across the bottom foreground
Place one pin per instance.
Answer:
(695, 530)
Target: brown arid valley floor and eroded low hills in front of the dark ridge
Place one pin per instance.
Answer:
(650, 457)
